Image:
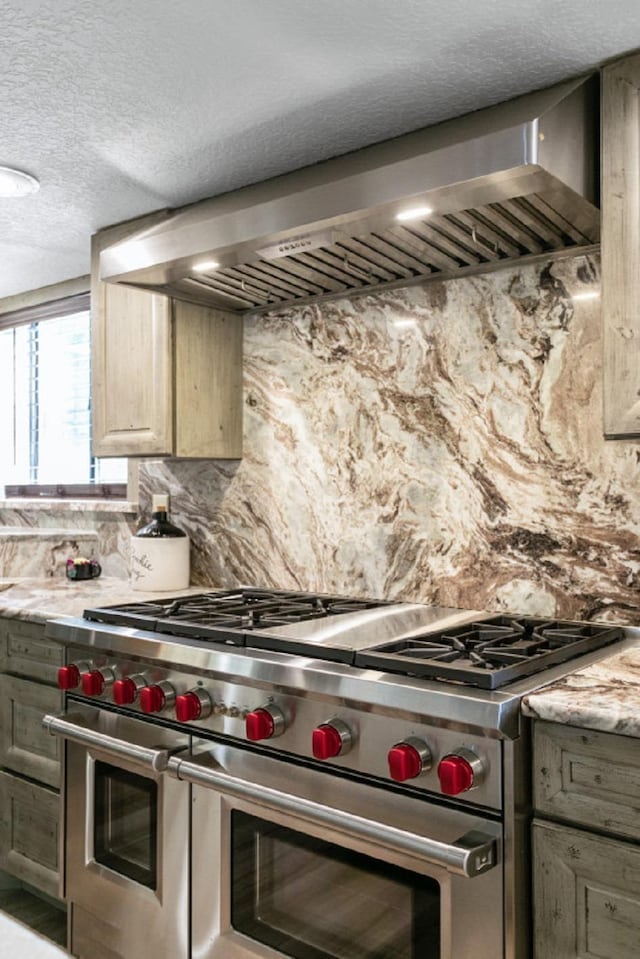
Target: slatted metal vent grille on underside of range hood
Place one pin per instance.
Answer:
(472, 241)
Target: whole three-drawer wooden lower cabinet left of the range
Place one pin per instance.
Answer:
(30, 760)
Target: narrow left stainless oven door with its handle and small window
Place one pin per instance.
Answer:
(126, 837)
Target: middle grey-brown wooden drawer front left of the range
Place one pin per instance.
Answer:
(25, 746)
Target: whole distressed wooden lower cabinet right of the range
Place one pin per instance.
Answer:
(586, 844)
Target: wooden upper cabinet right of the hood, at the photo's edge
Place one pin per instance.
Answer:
(621, 246)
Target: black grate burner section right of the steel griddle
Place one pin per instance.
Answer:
(491, 653)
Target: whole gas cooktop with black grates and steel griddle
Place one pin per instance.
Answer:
(409, 639)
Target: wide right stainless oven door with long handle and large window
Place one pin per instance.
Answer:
(290, 861)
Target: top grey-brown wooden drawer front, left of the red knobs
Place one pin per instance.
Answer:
(25, 651)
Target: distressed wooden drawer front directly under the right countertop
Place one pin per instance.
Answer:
(588, 778)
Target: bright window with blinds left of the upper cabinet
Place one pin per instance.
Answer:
(45, 392)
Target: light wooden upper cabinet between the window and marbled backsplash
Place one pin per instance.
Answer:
(167, 375)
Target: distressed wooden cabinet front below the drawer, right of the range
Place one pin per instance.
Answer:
(586, 895)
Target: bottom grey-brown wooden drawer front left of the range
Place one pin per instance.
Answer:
(29, 822)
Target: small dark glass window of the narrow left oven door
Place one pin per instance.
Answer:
(125, 830)
